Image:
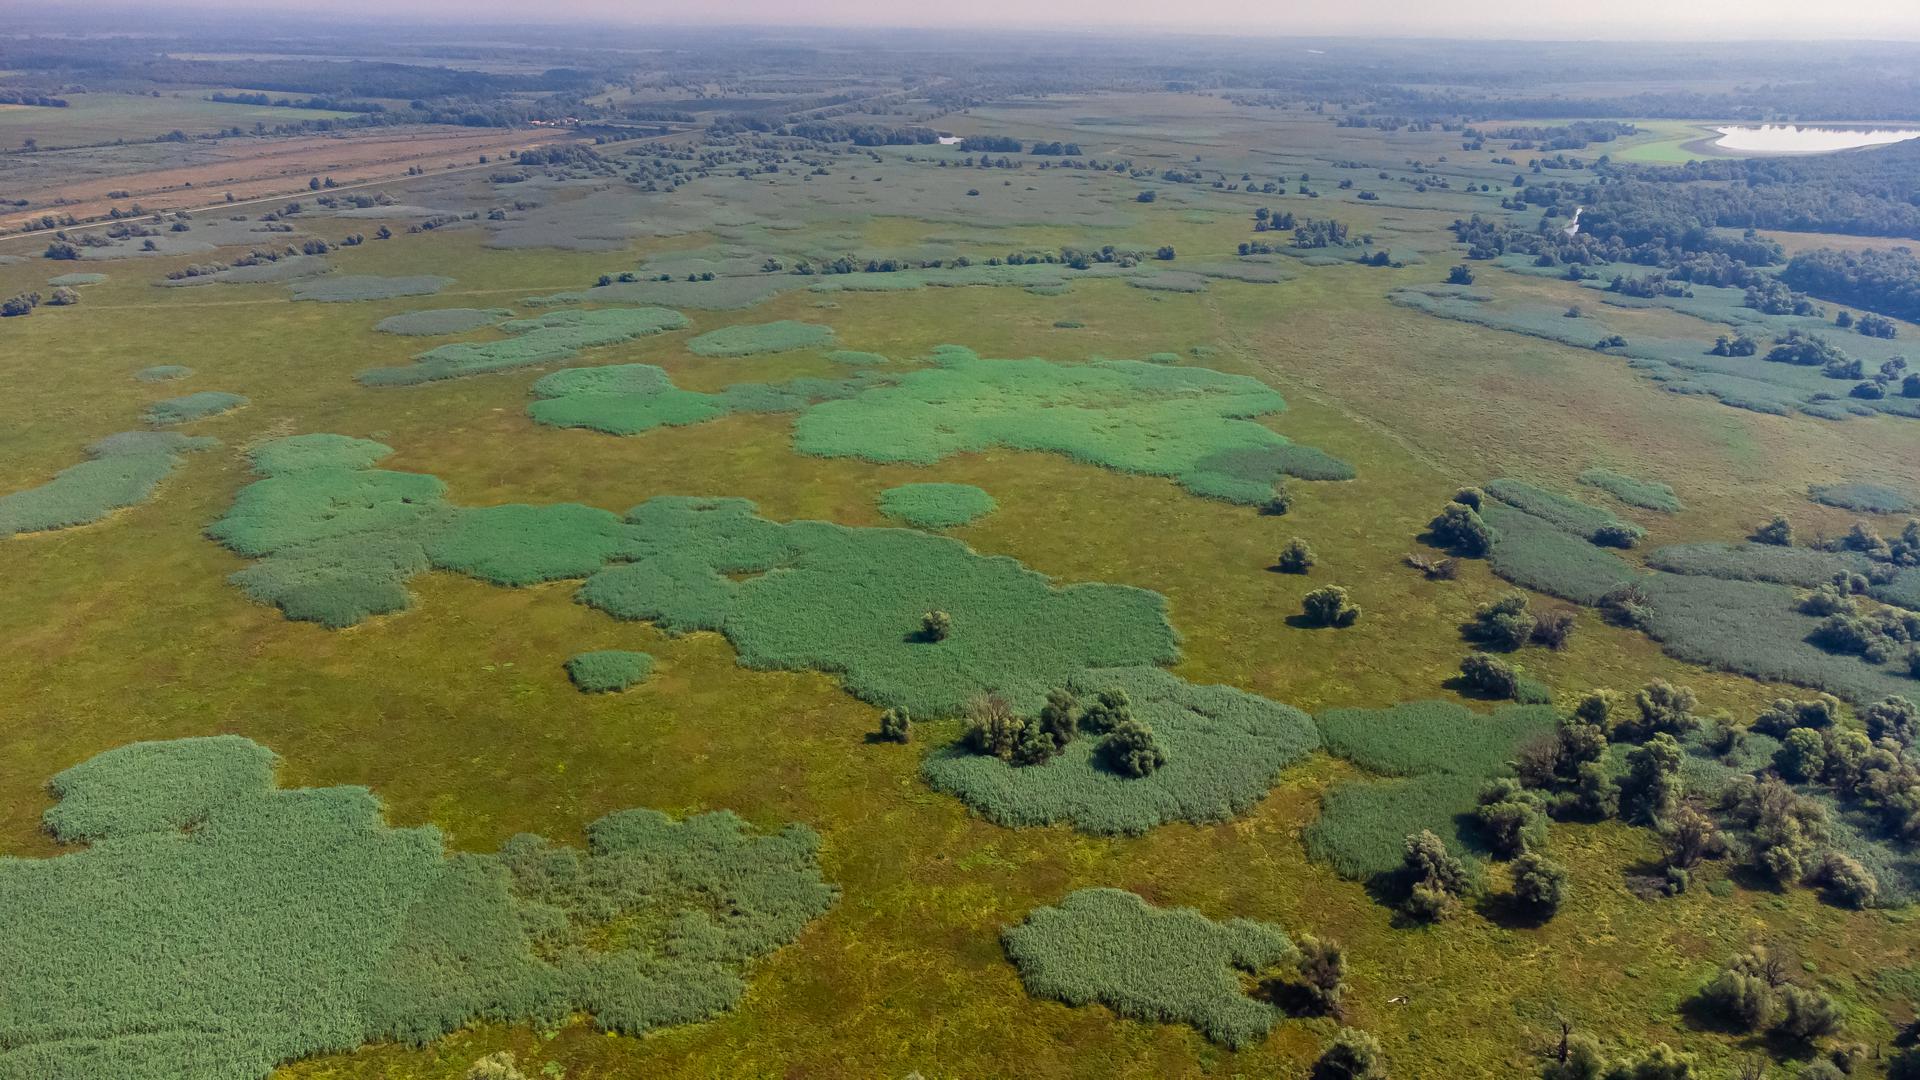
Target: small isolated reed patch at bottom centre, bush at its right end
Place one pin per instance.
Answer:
(1168, 966)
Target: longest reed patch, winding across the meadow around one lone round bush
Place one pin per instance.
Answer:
(339, 541)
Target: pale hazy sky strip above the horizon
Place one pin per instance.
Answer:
(1731, 20)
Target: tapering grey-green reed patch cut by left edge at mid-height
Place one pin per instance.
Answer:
(120, 472)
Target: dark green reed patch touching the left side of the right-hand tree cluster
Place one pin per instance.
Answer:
(1443, 754)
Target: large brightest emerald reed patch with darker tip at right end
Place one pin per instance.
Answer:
(1189, 424)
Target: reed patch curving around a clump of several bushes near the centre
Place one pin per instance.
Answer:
(1224, 752)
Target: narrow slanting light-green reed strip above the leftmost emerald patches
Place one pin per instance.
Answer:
(540, 339)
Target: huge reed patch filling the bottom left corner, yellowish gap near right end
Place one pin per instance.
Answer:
(331, 929)
